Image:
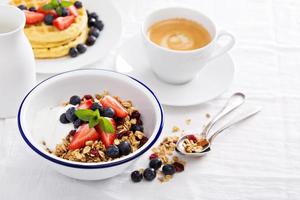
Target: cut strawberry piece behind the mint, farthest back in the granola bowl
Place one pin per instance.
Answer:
(109, 101)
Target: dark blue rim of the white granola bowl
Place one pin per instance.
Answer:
(101, 165)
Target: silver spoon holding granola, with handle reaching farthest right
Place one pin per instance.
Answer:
(207, 148)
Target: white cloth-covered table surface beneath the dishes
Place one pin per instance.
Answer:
(257, 160)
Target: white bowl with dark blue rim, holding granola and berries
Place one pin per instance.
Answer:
(38, 118)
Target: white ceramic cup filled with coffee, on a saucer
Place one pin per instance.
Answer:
(175, 66)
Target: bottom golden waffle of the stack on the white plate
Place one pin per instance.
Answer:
(60, 50)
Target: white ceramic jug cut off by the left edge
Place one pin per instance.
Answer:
(17, 65)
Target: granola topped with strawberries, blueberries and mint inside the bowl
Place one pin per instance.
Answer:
(105, 128)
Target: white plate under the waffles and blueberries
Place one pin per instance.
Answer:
(107, 40)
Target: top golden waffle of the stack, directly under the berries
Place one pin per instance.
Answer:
(42, 33)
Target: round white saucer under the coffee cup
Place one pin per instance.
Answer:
(211, 81)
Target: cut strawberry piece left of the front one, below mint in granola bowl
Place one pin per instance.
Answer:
(83, 134)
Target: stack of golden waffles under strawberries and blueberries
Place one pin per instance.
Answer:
(48, 41)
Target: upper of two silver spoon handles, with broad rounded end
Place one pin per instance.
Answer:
(235, 101)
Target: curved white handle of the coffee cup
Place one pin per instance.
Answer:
(221, 49)
